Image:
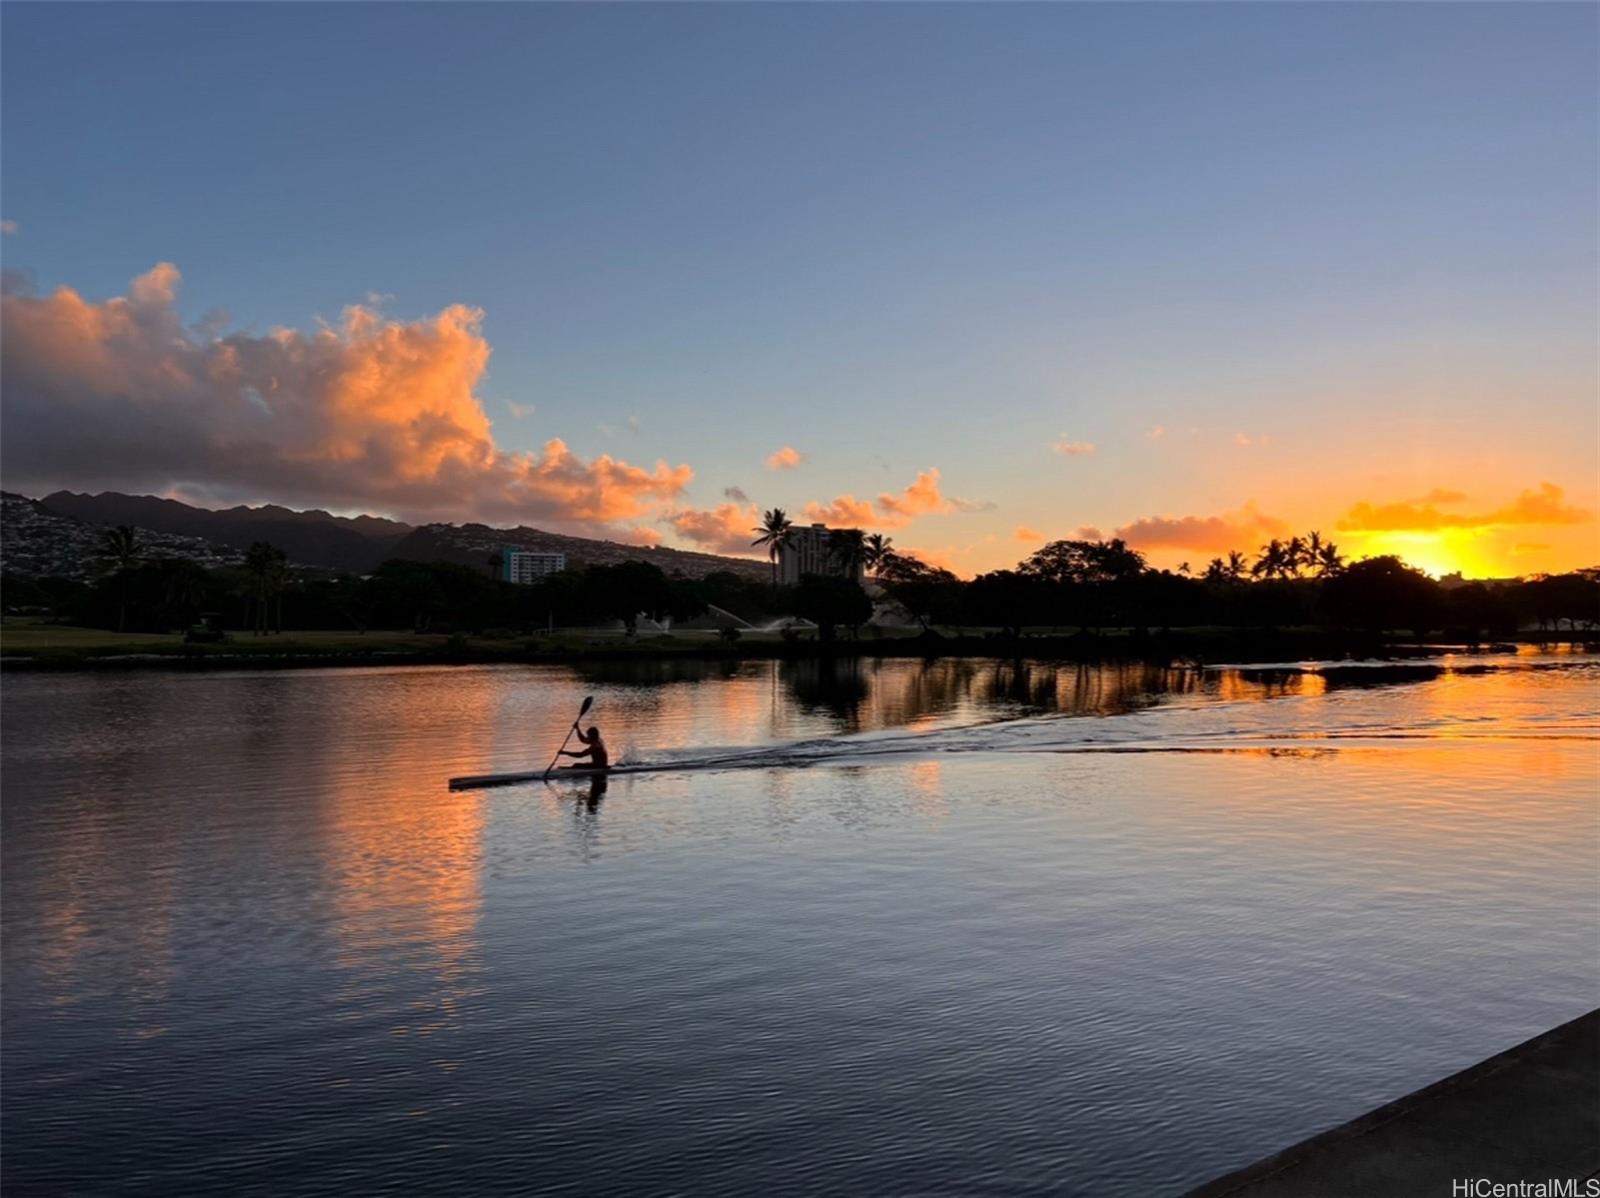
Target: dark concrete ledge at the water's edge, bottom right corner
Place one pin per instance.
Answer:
(1529, 1114)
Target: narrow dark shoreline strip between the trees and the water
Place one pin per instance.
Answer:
(1180, 649)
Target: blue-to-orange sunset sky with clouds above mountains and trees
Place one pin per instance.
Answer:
(972, 276)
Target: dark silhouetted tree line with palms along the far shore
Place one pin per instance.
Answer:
(1065, 586)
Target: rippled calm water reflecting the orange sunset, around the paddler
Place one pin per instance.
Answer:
(948, 928)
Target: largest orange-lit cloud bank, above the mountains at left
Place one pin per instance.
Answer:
(370, 413)
